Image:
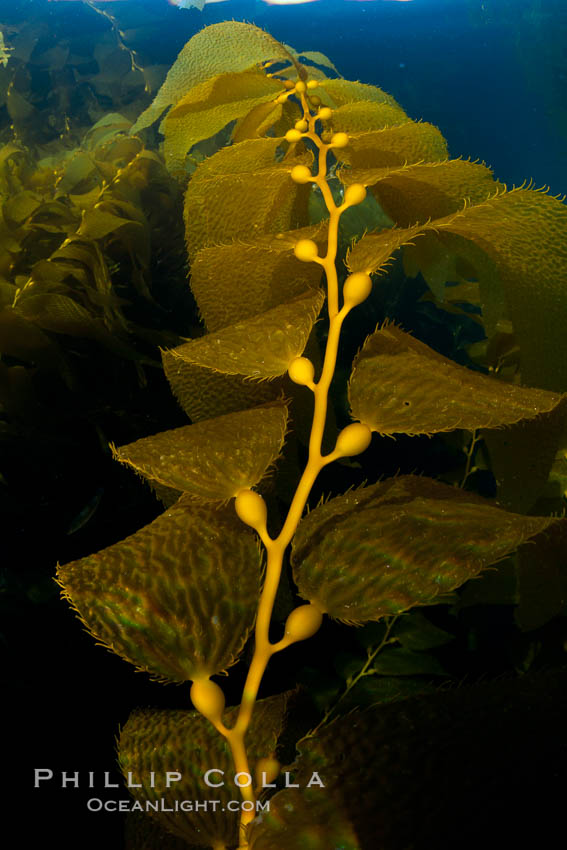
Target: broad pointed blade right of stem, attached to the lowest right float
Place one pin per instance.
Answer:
(383, 549)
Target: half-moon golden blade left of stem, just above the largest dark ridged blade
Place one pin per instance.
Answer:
(212, 460)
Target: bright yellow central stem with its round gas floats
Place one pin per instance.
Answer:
(305, 620)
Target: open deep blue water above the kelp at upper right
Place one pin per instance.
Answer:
(491, 74)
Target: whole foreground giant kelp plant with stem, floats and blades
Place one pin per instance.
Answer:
(191, 593)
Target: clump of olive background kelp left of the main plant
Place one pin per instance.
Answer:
(77, 244)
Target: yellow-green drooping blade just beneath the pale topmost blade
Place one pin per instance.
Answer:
(209, 107)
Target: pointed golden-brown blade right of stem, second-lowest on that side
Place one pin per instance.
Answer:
(401, 386)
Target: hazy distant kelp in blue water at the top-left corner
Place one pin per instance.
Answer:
(65, 72)
